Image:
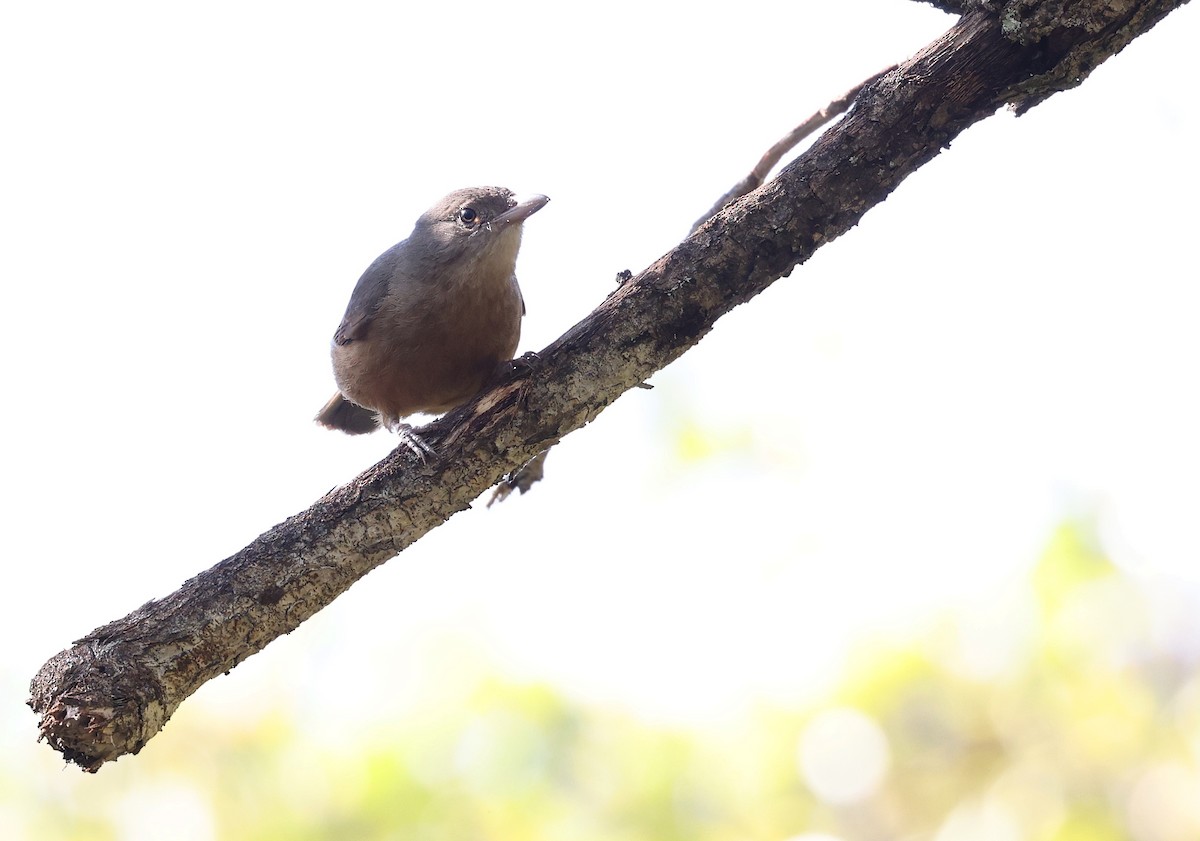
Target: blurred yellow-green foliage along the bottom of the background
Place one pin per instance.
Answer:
(1064, 710)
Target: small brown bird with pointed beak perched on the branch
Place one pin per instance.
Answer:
(434, 320)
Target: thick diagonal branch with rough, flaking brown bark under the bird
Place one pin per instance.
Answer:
(115, 689)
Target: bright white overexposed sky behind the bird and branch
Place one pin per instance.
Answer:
(188, 195)
